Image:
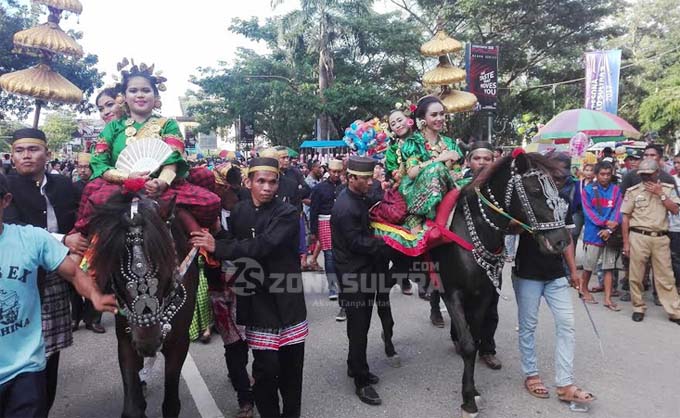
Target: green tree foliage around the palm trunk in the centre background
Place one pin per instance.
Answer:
(375, 61)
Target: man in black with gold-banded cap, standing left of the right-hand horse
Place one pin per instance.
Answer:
(361, 264)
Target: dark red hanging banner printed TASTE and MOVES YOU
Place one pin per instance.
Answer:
(482, 74)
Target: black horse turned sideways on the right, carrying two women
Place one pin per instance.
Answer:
(521, 188)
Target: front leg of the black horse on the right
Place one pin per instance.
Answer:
(454, 304)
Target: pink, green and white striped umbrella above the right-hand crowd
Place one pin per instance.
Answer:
(600, 126)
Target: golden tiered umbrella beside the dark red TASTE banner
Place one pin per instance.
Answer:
(445, 74)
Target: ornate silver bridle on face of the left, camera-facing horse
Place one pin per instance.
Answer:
(147, 308)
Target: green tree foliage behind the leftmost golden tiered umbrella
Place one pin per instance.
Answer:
(81, 72)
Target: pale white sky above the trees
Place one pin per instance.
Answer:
(177, 36)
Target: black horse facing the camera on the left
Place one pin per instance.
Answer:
(136, 252)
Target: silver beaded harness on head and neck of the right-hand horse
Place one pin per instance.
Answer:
(492, 262)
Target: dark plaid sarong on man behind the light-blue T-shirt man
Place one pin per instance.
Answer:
(56, 313)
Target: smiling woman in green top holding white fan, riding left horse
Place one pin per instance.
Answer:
(140, 89)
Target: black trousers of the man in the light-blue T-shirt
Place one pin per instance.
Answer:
(25, 396)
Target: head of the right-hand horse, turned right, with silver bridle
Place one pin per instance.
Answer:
(536, 201)
